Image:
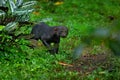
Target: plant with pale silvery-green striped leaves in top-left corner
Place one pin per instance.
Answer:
(12, 12)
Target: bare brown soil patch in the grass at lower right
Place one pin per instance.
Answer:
(88, 63)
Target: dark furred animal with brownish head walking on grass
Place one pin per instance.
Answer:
(49, 35)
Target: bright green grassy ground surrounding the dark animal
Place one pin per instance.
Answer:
(80, 16)
